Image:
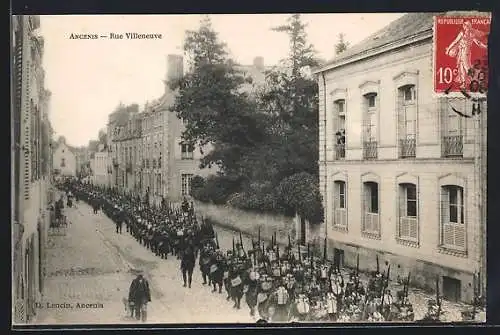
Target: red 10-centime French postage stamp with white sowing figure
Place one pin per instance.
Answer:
(461, 54)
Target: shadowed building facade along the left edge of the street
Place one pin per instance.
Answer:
(31, 173)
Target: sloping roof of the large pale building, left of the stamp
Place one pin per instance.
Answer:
(408, 25)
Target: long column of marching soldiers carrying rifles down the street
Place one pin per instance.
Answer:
(280, 285)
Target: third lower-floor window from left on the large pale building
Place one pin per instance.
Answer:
(408, 209)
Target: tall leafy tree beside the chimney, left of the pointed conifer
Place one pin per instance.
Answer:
(209, 100)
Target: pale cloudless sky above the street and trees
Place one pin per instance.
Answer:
(89, 78)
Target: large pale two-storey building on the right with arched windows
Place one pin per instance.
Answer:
(397, 163)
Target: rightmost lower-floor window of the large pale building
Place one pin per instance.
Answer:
(452, 217)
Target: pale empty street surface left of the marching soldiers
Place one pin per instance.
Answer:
(92, 264)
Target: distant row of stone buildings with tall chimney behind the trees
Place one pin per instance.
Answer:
(145, 154)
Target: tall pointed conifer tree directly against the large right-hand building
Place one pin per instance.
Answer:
(291, 99)
